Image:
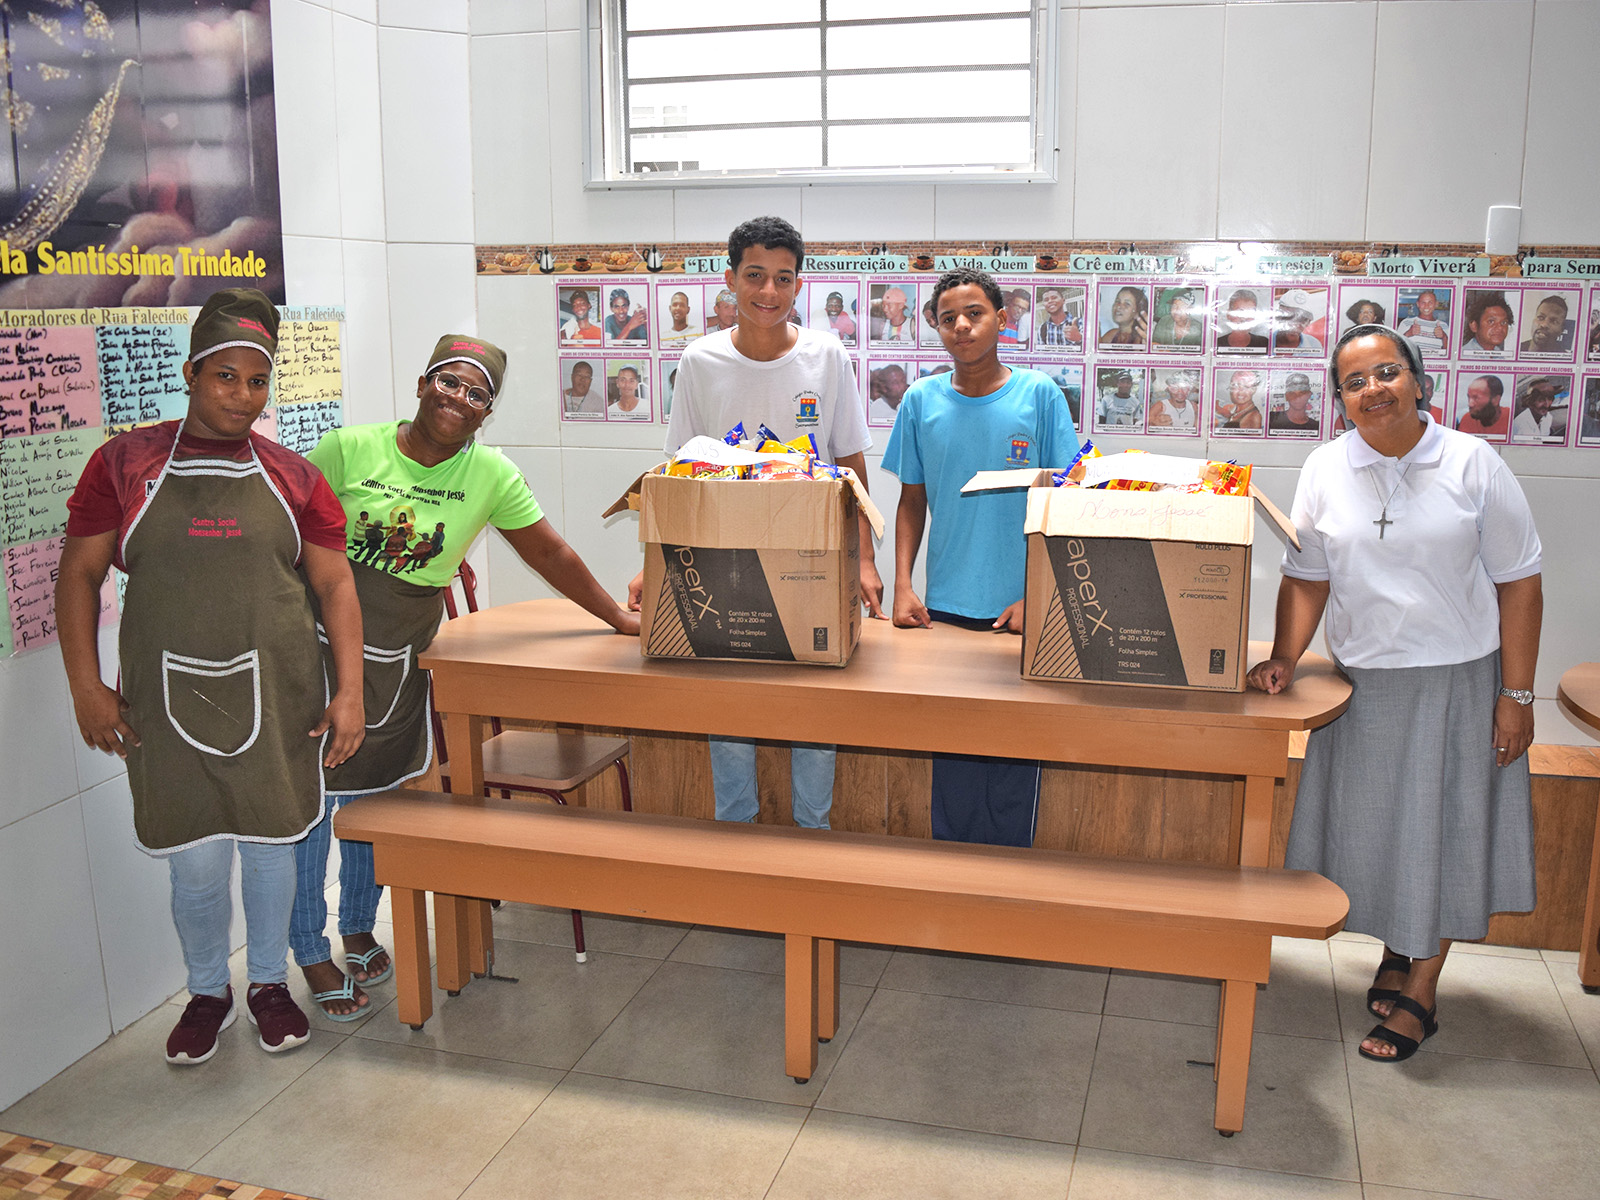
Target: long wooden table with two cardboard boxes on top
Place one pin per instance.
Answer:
(942, 689)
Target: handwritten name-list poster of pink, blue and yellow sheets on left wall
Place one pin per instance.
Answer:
(71, 380)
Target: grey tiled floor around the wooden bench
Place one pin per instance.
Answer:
(655, 1070)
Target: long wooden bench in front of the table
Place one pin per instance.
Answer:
(820, 889)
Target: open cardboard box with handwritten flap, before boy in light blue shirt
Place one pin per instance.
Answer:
(1140, 588)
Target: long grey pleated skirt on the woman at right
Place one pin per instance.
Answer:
(1402, 806)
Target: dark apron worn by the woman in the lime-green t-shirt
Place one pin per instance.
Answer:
(399, 622)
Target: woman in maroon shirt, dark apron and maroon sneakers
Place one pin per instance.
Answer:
(223, 711)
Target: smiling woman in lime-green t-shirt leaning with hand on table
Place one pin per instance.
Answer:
(433, 489)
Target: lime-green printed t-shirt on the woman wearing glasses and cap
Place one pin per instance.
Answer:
(412, 521)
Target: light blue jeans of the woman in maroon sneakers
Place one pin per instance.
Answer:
(204, 910)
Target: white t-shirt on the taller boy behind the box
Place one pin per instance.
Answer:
(809, 391)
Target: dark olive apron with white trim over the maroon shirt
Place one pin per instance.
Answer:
(220, 662)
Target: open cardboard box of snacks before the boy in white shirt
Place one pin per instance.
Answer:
(750, 570)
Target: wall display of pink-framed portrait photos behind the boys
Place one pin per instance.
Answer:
(1511, 361)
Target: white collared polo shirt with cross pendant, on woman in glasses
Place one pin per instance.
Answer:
(1423, 594)
